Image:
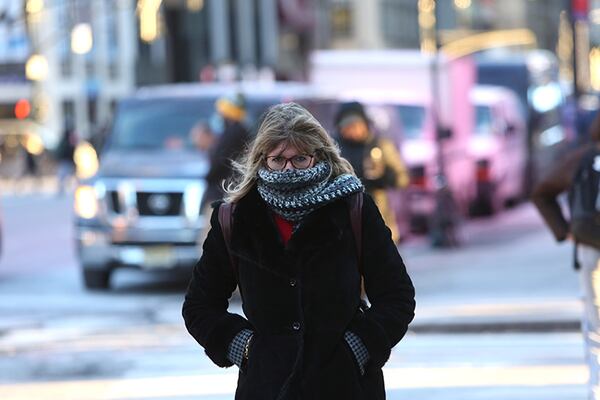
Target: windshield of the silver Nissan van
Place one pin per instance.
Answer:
(159, 124)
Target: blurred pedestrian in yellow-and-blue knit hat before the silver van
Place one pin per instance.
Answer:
(231, 138)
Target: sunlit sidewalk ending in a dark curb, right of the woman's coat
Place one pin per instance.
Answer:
(511, 275)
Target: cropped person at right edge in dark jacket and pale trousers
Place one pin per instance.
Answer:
(545, 197)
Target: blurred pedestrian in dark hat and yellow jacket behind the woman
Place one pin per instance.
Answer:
(375, 160)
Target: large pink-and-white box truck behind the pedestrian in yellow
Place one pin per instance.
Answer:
(398, 89)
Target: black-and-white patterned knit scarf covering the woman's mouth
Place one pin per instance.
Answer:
(295, 193)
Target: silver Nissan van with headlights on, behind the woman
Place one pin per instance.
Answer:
(142, 208)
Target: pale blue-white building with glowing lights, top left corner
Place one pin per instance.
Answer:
(75, 58)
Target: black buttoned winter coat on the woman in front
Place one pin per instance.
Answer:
(299, 299)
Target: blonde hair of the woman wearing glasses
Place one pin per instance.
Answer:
(287, 123)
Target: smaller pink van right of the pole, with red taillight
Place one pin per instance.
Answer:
(498, 147)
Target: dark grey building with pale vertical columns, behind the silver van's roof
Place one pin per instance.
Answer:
(205, 40)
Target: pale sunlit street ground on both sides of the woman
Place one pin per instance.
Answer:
(497, 318)
